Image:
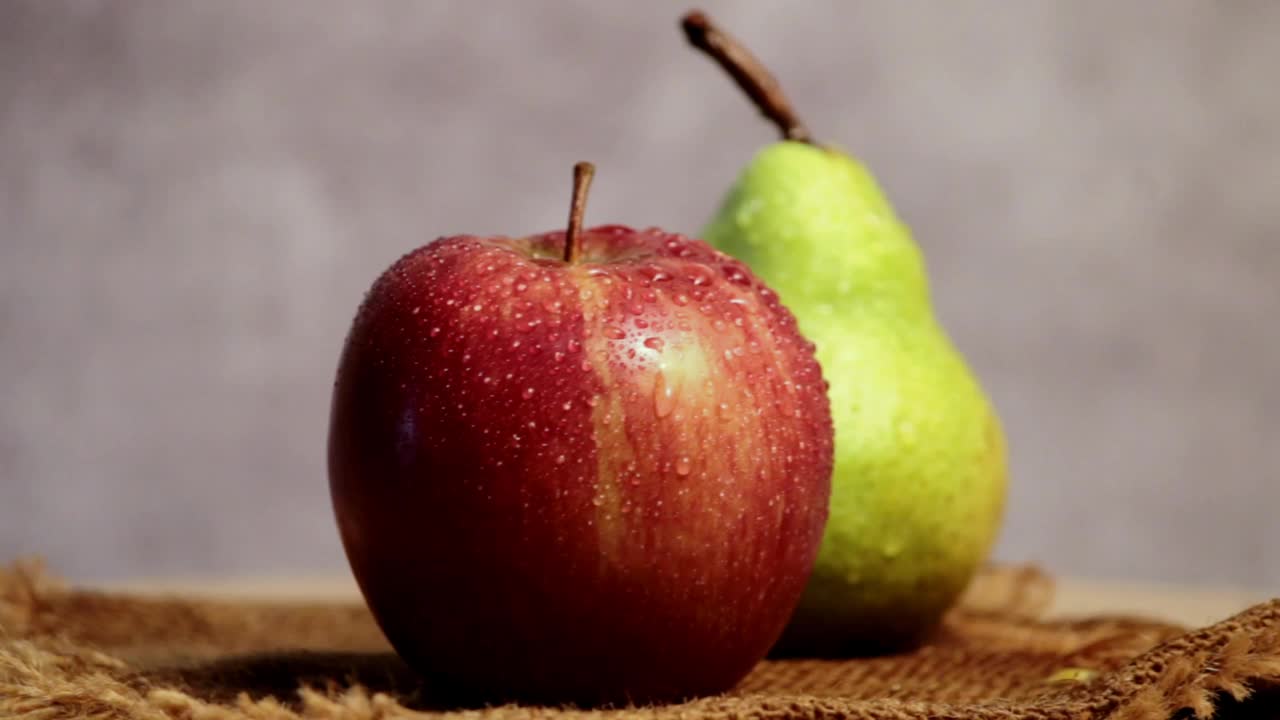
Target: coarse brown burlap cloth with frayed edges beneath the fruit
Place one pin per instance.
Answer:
(68, 653)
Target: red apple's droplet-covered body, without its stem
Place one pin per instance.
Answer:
(600, 482)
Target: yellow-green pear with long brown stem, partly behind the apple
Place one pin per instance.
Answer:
(920, 481)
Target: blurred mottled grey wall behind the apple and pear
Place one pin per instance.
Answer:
(194, 198)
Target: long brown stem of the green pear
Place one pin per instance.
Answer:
(751, 75)
